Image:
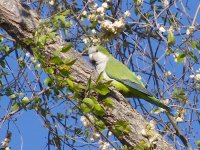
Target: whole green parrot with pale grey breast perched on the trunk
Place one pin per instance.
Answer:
(123, 80)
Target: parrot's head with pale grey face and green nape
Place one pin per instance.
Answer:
(98, 54)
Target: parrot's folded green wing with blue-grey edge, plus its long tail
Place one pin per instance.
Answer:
(123, 75)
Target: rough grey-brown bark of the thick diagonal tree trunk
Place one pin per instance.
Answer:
(20, 22)
